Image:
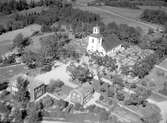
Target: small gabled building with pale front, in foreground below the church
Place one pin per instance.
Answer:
(81, 94)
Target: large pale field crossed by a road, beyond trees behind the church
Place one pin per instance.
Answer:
(120, 16)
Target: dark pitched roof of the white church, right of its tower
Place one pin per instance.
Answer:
(111, 42)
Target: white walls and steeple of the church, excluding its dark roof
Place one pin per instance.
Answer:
(96, 44)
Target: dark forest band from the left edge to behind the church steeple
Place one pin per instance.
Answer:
(58, 13)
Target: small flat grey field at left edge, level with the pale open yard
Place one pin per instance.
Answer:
(8, 72)
